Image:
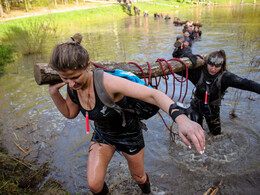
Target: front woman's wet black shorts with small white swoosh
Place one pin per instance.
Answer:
(130, 145)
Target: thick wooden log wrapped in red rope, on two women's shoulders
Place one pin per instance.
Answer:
(44, 74)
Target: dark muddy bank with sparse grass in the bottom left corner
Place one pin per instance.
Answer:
(20, 177)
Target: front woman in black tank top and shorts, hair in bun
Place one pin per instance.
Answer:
(71, 61)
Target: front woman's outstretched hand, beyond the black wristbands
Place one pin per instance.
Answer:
(191, 129)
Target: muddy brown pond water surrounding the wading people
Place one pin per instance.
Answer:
(29, 118)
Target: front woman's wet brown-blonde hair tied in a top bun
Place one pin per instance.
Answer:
(69, 55)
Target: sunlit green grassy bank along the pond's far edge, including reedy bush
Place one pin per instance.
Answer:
(27, 35)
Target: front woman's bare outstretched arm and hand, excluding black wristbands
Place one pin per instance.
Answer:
(118, 87)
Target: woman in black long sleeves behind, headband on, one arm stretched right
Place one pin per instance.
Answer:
(210, 83)
